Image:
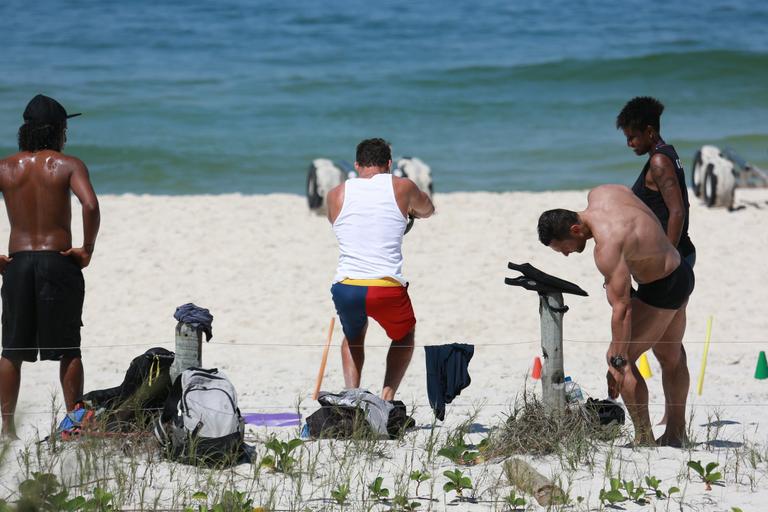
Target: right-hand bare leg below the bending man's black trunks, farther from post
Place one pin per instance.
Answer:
(675, 379)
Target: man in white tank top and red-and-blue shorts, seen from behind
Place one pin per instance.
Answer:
(369, 215)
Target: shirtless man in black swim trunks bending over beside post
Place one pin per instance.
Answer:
(630, 243)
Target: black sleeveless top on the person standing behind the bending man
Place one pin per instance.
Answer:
(655, 201)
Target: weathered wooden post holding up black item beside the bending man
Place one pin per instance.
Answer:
(551, 311)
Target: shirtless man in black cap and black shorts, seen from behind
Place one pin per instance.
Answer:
(43, 286)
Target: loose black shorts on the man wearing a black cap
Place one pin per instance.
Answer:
(43, 294)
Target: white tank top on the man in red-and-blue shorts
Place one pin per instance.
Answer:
(370, 230)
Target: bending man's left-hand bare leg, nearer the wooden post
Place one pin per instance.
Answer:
(648, 326)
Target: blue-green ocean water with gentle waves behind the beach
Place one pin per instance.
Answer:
(239, 96)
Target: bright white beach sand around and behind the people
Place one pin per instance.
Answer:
(263, 265)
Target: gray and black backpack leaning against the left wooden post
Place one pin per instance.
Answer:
(201, 422)
